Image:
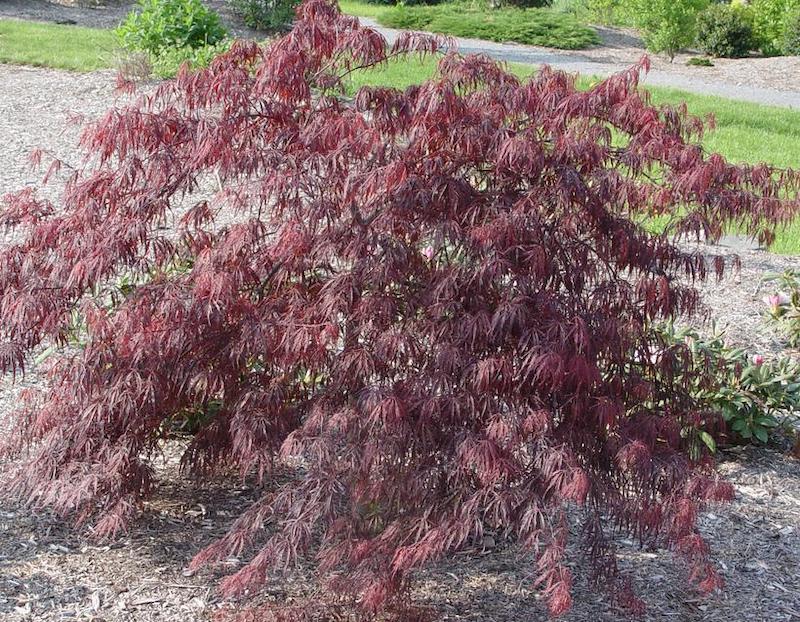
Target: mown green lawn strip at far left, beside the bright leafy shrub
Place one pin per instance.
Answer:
(53, 45)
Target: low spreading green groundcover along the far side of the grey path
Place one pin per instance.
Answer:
(538, 26)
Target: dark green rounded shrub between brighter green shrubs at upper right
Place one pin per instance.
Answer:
(723, 30)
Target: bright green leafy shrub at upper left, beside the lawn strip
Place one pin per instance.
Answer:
(158, 24)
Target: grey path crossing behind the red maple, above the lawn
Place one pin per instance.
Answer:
(573, 63)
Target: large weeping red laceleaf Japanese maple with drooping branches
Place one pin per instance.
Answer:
(430, 311)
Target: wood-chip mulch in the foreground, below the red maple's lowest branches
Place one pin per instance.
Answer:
(51, 573)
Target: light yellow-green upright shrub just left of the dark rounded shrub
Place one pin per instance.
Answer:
(667, 25)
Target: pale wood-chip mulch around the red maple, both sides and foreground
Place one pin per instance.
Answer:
(49, 573)
